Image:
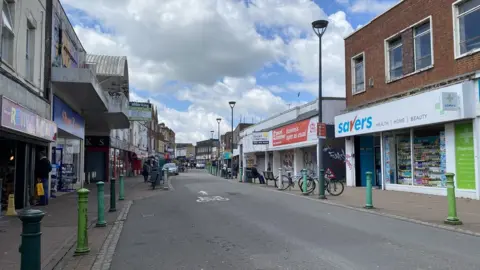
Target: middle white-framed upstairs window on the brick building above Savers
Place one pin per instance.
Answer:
(387, 55)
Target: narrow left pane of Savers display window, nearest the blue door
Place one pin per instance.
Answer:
(404, 159)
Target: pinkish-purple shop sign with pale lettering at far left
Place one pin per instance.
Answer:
(20, 119)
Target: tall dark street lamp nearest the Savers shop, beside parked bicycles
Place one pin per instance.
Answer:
(319, 27)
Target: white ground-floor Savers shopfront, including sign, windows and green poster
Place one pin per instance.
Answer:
(419, 138)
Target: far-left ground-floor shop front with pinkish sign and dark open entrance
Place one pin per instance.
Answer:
(23, 136)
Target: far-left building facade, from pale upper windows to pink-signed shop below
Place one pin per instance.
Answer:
(26, 126)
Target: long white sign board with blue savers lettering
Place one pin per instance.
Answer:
(423, 109)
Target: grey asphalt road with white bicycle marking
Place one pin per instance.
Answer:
(212, 223)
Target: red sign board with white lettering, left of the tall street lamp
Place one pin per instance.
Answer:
(301, 131)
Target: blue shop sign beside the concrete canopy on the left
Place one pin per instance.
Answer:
(67, 119)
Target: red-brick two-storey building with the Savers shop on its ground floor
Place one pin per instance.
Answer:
(412, 95)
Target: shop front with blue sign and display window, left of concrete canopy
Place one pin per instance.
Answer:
(68, 151)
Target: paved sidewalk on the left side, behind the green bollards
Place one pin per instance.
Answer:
(59, 226)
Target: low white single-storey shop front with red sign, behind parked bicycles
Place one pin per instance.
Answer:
(293, 147)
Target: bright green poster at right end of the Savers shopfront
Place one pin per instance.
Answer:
(464, 156)
